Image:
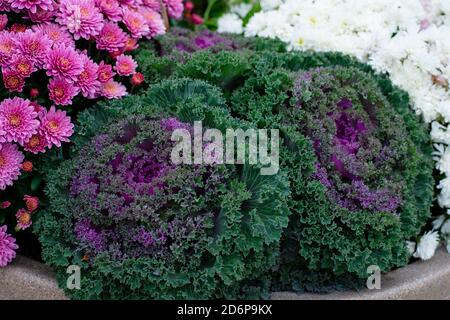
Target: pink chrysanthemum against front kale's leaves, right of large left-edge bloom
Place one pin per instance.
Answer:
(56, 127)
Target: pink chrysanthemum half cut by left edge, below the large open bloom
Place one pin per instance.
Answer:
(10, 164)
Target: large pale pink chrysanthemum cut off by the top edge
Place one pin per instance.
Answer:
(80, 17)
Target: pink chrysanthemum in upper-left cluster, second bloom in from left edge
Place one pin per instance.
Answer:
(34, 45)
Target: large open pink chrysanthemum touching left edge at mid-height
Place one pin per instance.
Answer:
(17, 120)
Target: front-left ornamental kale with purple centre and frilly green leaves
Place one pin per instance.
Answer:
(141, 227)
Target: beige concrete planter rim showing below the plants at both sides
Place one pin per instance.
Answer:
(30, 280)
